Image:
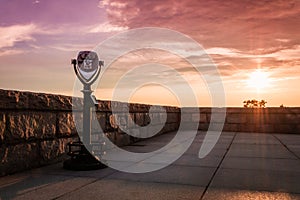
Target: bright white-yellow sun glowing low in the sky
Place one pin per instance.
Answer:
(258, 80)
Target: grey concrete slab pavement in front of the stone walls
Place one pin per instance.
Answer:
(240, 166)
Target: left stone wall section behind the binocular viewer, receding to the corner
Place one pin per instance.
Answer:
(35, 127)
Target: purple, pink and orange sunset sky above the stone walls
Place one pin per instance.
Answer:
(254, 45)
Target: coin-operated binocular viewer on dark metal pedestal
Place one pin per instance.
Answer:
(87, 68)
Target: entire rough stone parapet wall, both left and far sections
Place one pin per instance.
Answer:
(35, 127)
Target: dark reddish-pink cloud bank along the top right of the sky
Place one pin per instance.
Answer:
(229, 24)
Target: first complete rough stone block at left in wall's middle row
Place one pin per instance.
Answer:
(29, 125)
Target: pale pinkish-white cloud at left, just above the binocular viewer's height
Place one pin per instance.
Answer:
(21, 38)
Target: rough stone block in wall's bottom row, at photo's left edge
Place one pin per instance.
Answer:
(18, 158)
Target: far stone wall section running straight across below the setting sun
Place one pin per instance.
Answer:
(261, 120)
